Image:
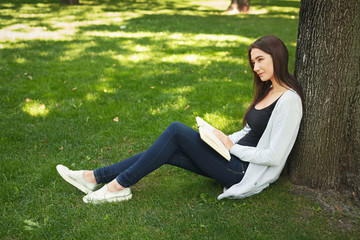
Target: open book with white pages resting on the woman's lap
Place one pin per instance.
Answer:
(211, 139)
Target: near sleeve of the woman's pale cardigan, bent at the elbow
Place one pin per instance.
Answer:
(282, 136)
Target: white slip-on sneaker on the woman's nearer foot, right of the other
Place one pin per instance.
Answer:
(103, 195)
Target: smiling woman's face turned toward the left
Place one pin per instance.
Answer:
(263, 64)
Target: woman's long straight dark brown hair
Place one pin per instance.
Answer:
(276, 48)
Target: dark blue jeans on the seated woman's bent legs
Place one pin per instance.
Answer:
(181, 146)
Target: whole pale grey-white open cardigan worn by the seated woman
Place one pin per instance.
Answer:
(268, 158)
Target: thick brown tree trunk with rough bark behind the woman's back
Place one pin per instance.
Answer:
(327, 152)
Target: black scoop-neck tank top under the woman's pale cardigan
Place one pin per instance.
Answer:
(257, 121)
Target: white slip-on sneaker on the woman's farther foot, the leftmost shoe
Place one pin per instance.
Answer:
(75, 178)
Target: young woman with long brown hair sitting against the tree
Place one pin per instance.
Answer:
(258, 152)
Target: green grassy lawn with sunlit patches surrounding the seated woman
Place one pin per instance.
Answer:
(89, 85)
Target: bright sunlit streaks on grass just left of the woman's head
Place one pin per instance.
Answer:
(143, 53)
